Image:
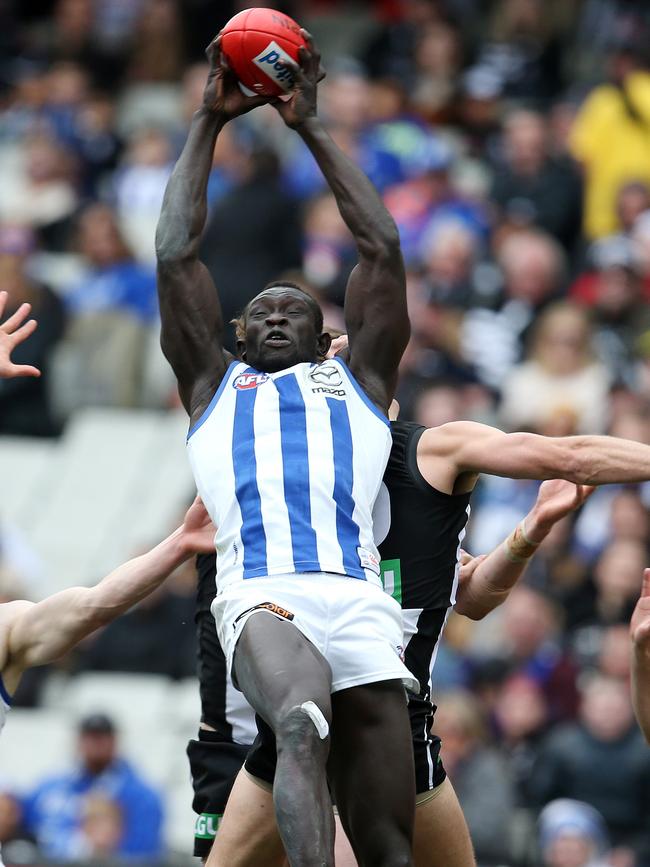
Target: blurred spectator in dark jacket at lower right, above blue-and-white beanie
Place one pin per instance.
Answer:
(577, 761)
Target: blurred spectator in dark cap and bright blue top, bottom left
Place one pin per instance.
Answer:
(60, 814)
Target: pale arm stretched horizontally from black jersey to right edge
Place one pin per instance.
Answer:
(469, 447)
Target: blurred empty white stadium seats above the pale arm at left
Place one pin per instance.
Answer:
(114, 484)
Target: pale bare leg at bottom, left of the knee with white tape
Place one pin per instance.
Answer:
(248, 834)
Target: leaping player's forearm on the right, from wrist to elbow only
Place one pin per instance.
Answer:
(360, 204)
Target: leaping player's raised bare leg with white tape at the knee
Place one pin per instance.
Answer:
(287, 681)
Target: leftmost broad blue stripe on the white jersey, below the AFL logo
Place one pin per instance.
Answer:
(244, 463)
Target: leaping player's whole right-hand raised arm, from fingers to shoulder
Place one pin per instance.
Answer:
(375, 302)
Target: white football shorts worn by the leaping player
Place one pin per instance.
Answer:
(354, 624)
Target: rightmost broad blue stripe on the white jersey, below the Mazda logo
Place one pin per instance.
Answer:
(347, 530)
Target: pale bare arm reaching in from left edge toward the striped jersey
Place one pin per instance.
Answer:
(42, 632)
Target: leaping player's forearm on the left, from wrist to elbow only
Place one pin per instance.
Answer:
(184, 208)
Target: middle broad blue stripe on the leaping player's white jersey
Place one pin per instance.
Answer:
(295, 463)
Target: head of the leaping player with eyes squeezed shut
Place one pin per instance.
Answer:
(280, 331)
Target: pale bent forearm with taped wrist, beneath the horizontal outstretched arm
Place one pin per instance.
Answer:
(485, 581)
